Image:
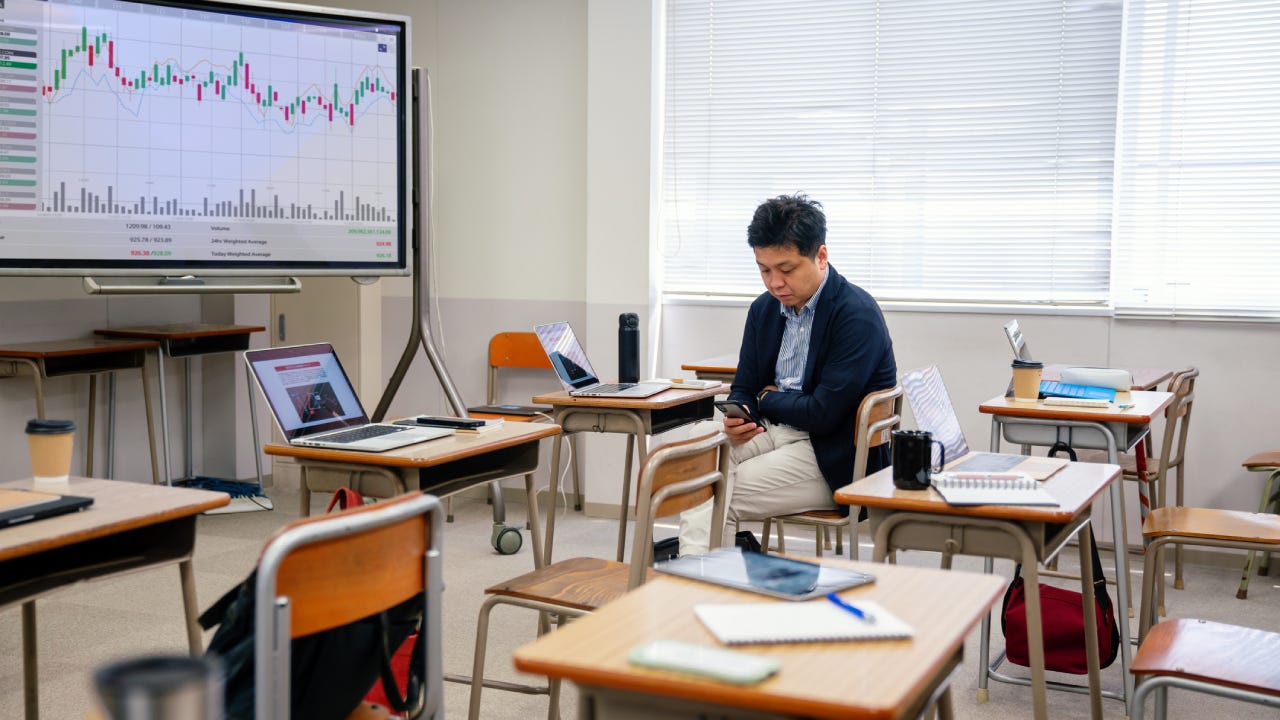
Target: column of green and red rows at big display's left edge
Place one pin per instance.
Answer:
(20, 136)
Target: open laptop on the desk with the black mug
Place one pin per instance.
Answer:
(931, 404)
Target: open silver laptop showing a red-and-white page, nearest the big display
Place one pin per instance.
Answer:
(316, 407)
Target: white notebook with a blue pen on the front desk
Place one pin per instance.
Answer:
(816, 621)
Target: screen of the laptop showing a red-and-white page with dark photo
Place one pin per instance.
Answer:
(308, 389)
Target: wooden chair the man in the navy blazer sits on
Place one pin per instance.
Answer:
(877, 416)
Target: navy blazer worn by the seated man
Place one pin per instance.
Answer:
(851, 356)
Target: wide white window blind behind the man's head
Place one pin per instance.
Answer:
(963, 151)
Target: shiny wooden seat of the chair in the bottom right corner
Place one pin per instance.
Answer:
(1213, 653)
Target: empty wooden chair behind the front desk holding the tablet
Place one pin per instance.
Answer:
(673, 480)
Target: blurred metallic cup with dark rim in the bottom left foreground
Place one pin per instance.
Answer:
(162, 689)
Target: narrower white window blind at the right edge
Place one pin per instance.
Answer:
(1199, 161)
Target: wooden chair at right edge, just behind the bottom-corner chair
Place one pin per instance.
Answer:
(1205, 527)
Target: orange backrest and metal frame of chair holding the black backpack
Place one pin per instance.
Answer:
(321, 573)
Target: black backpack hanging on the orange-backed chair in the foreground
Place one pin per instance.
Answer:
(332, 672)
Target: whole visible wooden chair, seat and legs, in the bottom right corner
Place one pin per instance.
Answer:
(1208, 658)
